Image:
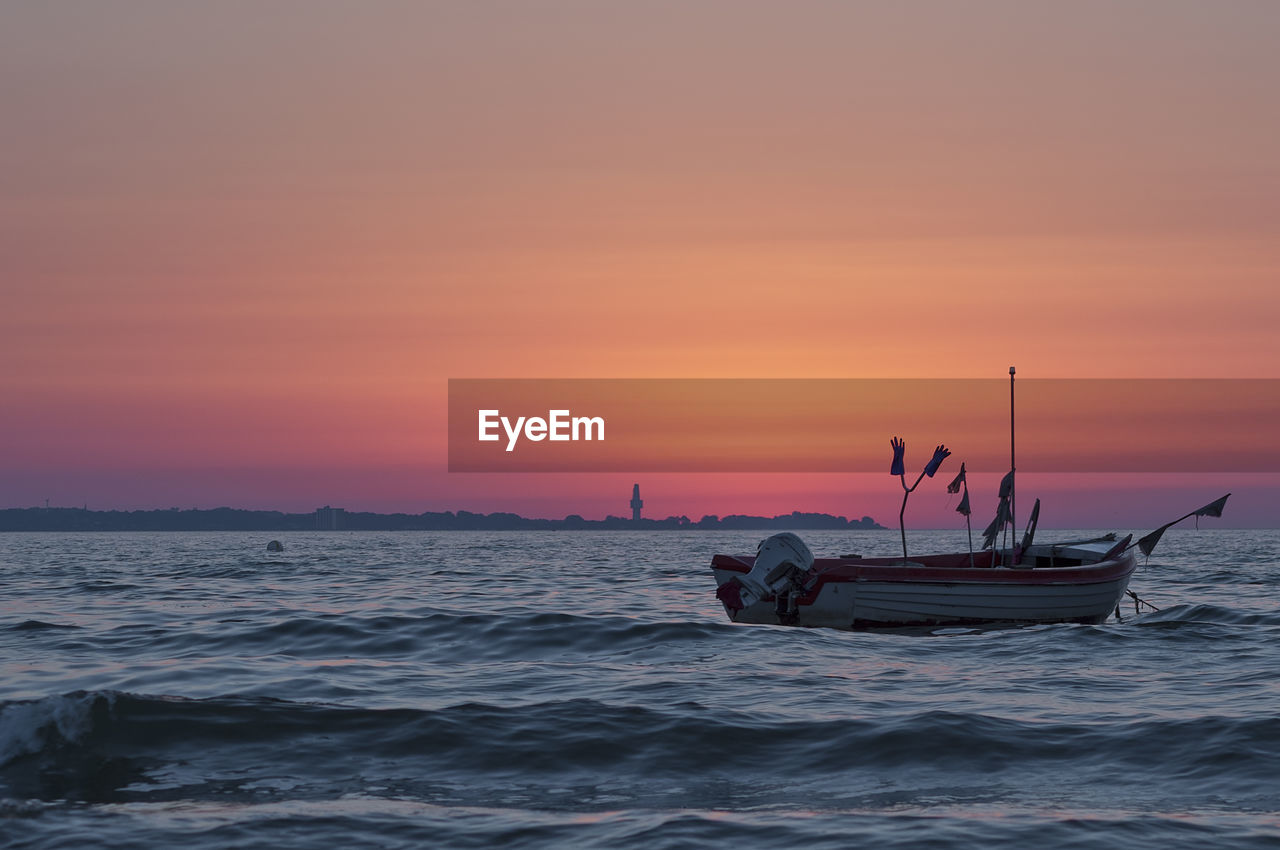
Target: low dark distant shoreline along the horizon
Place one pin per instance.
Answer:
(328, 519)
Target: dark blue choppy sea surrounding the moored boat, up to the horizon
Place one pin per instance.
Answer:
(586, 689)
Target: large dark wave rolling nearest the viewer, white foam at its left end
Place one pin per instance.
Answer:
(578, 735)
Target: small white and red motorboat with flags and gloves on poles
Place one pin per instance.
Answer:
(1027, 583)
